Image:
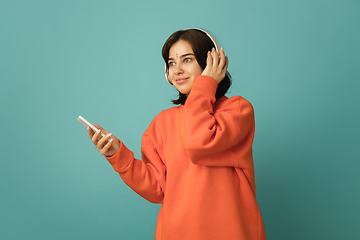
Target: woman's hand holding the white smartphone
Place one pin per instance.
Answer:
(107, 145)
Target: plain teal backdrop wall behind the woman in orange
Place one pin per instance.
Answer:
(298, 62)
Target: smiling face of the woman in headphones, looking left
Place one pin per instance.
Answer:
(183, 67)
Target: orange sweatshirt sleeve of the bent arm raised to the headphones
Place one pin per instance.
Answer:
(221, 136)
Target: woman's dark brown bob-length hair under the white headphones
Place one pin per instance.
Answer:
(200, 44)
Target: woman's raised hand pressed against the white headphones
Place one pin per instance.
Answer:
(216, 65)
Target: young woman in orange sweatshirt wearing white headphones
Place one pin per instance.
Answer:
(196, 157)
